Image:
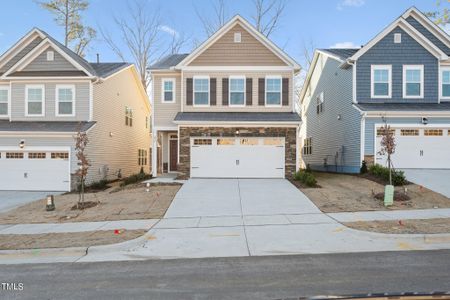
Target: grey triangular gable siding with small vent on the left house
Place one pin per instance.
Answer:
(41, 63)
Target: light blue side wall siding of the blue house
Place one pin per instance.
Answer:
(330, 135)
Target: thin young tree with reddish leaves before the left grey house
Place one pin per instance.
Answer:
(81, 141)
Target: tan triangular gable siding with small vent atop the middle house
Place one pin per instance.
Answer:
(249, 52)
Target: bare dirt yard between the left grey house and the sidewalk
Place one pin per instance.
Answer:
(130, 202)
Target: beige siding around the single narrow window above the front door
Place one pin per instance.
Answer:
(165, 112)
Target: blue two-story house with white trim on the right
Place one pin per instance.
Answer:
(400, 78)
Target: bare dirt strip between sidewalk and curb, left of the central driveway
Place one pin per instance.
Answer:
(63, 240)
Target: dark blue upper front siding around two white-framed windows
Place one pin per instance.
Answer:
(386, 52)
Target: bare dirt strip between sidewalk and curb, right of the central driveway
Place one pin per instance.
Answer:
(406, 226)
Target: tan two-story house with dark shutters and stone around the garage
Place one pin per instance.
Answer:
(226, 109)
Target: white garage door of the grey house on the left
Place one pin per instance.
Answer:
(37, 170)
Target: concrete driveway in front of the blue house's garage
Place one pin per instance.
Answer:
(433, 179)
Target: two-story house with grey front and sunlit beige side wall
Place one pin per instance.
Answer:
(47, 95)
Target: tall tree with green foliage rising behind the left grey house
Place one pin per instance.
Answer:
(67, 13)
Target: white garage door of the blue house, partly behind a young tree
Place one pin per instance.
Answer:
(418, 148)
